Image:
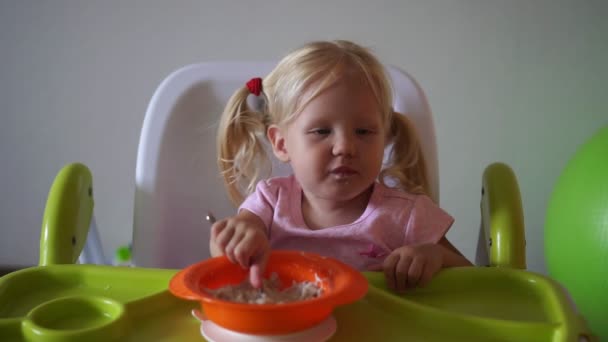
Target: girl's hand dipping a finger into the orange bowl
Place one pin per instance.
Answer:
(243, 240)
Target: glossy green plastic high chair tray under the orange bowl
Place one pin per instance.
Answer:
(104, 303)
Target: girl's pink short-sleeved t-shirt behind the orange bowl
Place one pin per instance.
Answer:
(392, 219)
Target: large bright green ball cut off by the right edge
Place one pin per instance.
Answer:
(576, 231)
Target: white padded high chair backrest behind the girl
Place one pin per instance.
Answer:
(177, 179)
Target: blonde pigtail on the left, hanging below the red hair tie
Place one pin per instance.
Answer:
(241, 153)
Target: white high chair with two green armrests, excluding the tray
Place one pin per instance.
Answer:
(178, 183)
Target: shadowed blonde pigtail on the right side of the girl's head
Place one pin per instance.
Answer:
(406, 164)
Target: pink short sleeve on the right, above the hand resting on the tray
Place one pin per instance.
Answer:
(427, 223)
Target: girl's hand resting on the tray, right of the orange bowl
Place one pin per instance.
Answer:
(411, 266)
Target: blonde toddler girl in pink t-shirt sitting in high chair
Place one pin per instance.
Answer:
(327, 112)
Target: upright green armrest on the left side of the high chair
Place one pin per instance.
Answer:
(67, 216)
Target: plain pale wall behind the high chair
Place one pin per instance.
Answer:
(516, 81)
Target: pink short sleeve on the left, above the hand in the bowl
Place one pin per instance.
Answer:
(262, 201)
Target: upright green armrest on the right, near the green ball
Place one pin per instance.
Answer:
(502, 217)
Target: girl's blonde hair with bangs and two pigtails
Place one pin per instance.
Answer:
(242, 151)
